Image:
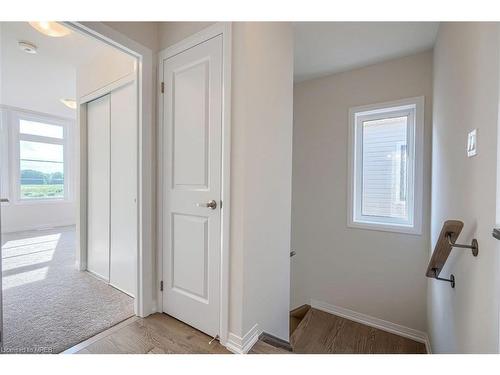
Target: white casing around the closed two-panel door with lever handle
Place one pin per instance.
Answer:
(224, 29)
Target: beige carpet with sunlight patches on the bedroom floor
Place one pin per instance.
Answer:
(49, 306)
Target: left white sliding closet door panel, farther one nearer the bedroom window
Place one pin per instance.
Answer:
(98, 189)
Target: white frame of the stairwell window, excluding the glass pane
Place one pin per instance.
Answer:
(414, 109)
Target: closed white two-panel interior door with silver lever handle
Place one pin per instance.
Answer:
(192, 107)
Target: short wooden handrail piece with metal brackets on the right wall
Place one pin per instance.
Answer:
(446, 241)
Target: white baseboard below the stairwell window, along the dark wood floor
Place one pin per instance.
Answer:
(371, 321)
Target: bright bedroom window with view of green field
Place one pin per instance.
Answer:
(40, 157)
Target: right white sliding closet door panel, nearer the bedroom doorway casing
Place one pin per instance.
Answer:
(124, 188)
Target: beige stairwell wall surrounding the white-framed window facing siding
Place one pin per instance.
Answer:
(380, 274)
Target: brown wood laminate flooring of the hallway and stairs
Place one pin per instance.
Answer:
(319, 332)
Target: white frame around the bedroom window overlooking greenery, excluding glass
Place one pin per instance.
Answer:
(15, 117)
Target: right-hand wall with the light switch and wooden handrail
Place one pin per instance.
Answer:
(466, 77)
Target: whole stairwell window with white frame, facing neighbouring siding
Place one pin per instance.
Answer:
(386, 166)
